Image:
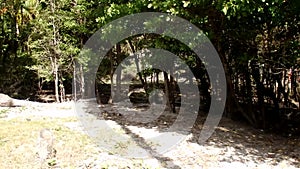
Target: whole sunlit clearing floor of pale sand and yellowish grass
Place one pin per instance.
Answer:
(103, 137)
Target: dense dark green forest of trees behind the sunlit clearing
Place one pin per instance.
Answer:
(257, 41)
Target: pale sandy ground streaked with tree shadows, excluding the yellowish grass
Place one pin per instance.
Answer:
(123, 144)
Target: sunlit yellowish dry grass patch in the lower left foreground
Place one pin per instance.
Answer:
(18, 143)
